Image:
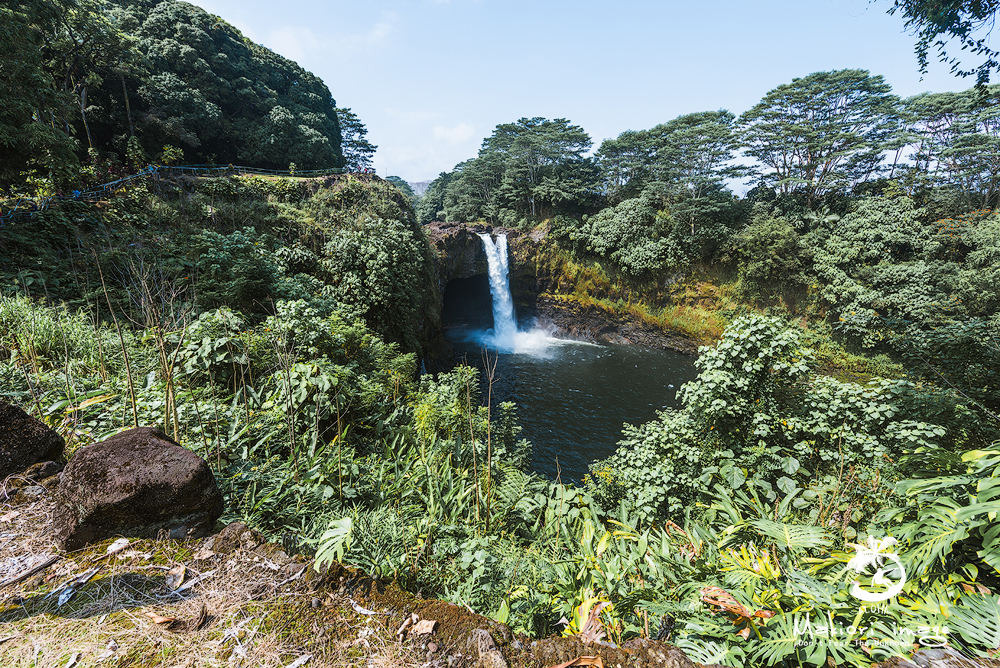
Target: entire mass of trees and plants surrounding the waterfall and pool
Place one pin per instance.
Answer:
(843, 428)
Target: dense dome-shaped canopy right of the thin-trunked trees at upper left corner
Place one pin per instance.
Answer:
(218, 95)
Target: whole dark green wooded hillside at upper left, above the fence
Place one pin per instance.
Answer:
(134, 81)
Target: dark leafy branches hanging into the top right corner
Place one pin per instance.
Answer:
(934, 22)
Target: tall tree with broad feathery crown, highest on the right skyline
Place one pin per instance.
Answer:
(823, 133)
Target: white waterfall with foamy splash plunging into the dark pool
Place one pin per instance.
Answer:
(505, 336)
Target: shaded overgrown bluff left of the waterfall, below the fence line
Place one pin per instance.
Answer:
(349, 243)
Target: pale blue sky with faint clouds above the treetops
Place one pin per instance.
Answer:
(431, 78)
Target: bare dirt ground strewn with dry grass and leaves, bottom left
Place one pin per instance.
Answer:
(232, 599)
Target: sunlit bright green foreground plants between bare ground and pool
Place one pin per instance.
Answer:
(320, 434)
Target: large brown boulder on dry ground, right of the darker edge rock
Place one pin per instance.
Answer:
(136, 483)
